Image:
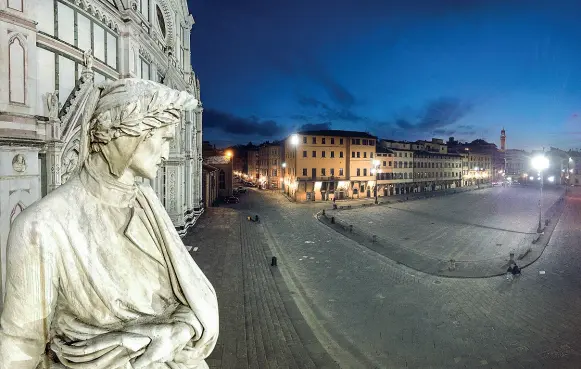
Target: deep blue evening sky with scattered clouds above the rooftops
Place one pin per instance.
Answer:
(431, 68)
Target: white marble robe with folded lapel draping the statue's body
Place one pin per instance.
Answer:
(96, 256)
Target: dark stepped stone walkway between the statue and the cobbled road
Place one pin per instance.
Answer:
(256, 328)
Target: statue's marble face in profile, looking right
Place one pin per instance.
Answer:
(152, 152)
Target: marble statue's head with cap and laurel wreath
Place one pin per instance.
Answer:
(133, 122)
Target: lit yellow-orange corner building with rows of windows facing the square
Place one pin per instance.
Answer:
(327, 164)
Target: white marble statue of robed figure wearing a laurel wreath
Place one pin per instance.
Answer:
(97, 276)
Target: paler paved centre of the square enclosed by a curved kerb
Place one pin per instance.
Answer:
(470, 226)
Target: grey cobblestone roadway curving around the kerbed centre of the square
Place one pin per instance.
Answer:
(370, 312)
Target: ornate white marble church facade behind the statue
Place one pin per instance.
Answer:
(54, 52)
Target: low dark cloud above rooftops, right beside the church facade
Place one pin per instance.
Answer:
(251, 126)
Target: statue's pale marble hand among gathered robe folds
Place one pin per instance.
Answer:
(166, 341)
